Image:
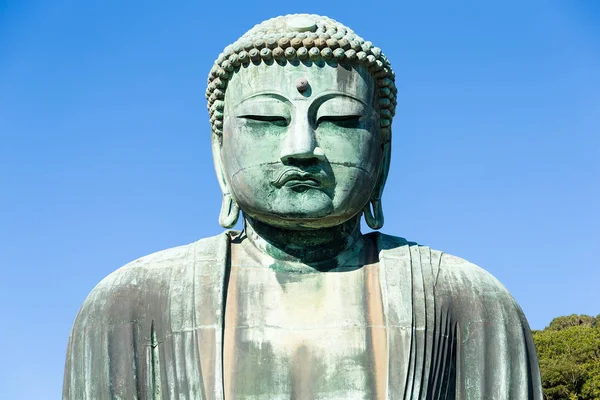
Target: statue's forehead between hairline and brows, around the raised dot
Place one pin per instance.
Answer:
(352, 80)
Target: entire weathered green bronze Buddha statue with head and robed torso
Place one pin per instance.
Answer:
(300, 304)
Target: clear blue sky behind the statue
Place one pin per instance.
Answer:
(105, 147)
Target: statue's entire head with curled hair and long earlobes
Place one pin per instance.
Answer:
(301, 110)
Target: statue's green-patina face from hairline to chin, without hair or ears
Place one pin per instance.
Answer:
(300, 155)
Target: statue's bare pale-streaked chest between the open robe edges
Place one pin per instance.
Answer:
(304, 336)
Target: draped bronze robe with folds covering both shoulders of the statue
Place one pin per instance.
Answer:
(154, 329)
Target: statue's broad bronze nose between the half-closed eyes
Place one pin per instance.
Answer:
(300, 144)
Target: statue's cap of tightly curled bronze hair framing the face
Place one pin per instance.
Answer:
(301, 38)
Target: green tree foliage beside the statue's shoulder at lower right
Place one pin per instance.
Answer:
(569, 355)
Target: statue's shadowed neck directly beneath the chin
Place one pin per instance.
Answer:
(306, 246)
